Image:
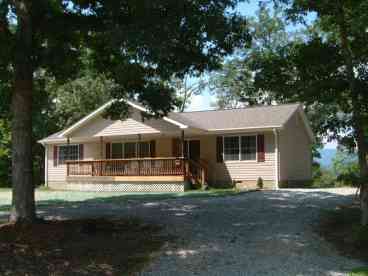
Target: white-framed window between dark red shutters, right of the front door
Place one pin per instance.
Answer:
(240, 148)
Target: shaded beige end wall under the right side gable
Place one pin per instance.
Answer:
(295, 151)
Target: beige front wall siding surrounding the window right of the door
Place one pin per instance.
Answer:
(238, 170)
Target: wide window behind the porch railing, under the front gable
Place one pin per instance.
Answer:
(130, 150)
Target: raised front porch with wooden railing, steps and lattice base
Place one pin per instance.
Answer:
(136, 174)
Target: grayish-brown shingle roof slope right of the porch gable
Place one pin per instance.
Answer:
(249, 117)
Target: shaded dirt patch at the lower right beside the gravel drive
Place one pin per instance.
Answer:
(342, 228)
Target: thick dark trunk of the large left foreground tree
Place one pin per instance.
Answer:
(23, 202)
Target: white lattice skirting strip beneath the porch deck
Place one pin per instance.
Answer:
(121, 187)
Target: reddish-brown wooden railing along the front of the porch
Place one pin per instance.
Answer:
(127, 167)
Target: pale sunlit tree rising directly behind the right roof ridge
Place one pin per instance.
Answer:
(233, 85)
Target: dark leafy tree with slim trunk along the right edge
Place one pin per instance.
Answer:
(344, 33)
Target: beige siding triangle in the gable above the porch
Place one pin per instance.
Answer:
(133, 125)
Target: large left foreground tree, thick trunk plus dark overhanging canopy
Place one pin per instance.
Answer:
(138, 44)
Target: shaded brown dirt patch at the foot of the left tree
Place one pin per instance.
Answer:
(78, 247)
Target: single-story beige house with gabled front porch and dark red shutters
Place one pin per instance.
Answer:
(218, 147)
